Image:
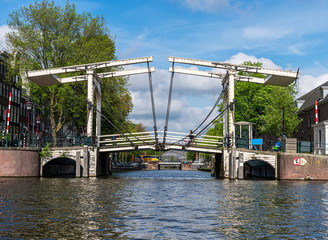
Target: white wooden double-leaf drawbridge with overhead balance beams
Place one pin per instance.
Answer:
(196, 140)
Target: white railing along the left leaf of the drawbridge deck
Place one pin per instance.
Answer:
(126, 139)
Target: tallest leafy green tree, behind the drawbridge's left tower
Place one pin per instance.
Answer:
(46, 36)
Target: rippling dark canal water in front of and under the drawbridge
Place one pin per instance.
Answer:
(168, 204)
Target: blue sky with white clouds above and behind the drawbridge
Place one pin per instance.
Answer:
(283, 34)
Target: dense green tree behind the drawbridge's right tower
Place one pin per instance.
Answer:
(263, 105)
